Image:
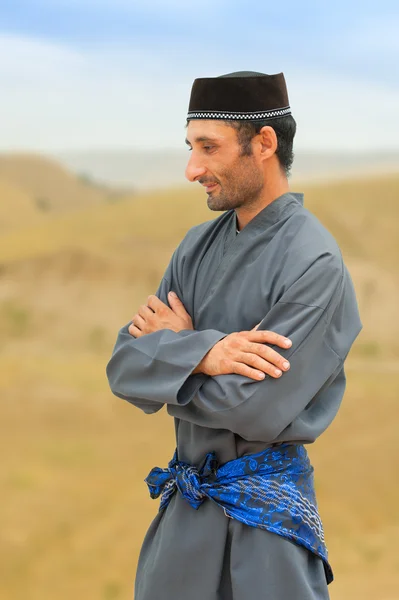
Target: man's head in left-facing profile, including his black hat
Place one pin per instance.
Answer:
(240, 151)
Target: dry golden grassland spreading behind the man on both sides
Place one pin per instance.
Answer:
(74, 504)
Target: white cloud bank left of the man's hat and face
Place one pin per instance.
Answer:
(56, 98)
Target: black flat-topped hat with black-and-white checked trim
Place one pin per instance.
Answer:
(241, 96)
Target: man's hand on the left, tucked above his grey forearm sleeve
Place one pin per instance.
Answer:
(157, 315)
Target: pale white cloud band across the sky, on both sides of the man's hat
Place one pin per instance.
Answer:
(115, 96)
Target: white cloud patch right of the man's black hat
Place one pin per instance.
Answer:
(343, 113)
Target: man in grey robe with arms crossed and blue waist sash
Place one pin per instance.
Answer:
(244, 342)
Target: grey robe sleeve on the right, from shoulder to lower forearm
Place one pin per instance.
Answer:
(318, 312)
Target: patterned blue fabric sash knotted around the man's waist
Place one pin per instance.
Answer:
(271, 490)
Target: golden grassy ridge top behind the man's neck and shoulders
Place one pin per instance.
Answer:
(350, 209)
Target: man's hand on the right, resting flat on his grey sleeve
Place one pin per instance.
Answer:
(244, 353)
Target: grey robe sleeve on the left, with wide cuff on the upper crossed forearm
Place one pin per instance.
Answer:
(149, 371)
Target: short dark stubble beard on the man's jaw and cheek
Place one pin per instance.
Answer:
(242, 187)
